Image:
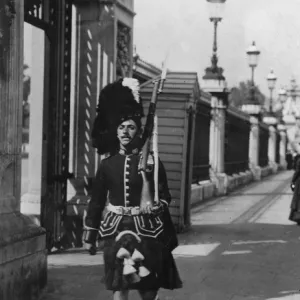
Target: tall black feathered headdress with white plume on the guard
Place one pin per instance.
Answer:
(118, 101)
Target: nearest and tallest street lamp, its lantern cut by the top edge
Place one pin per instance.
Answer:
(216, 9)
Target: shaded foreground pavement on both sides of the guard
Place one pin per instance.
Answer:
(246, 262)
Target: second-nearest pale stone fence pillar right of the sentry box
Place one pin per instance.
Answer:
(254, 149)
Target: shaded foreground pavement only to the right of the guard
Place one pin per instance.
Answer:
(250, 261)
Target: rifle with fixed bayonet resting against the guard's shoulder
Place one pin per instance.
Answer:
(151, 124)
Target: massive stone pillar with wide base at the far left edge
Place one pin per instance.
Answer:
(23, 262)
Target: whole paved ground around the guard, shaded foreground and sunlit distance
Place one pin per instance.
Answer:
(241, 247)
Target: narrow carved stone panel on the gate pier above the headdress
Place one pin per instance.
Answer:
(123, 50)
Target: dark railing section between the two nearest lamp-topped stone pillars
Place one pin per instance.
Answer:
(237, 131)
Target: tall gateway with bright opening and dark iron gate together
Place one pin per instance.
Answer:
(46, 114)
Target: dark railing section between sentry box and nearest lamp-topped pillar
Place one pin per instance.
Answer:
(201, 143)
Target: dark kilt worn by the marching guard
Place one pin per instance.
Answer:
(157, 260)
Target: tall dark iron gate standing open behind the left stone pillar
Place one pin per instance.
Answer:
(54, 18)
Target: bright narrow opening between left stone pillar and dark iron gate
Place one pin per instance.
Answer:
(32, 121)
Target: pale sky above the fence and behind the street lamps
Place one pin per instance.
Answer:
(183, 28)
